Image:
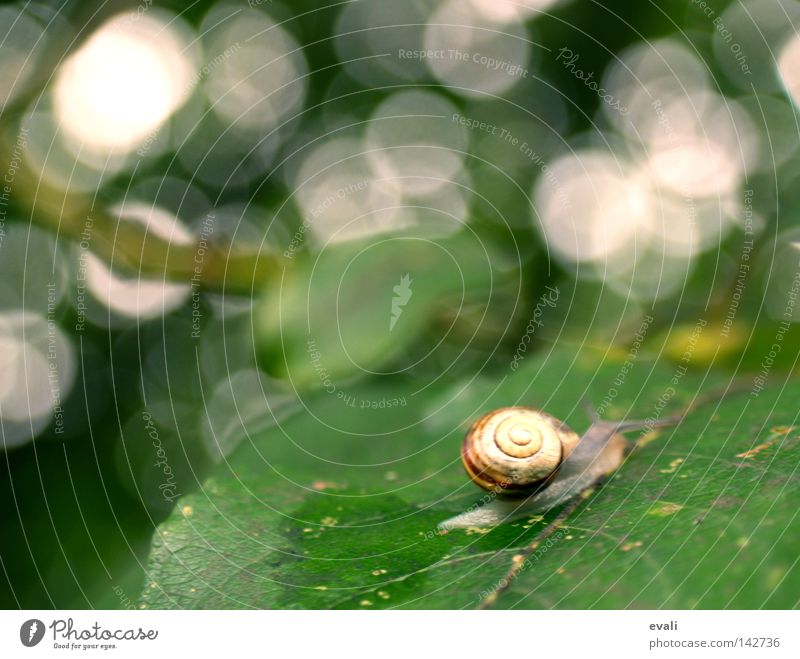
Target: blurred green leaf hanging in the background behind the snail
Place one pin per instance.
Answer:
(355, 307)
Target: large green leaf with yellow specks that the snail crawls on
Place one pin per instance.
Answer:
(338, 507)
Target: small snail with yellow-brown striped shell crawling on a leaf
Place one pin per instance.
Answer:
(532, 462)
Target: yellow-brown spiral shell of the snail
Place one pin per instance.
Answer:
(513, 450)
